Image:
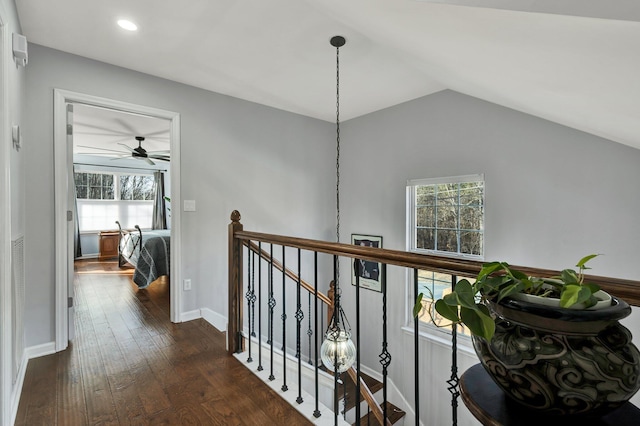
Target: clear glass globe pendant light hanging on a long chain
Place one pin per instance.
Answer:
(338, 353)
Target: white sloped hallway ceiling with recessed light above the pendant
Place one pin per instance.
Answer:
(574, 62)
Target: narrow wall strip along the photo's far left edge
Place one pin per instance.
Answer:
(13, 199)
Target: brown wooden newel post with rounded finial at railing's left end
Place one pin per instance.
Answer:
(234, 327)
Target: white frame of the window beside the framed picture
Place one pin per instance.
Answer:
(426, 329)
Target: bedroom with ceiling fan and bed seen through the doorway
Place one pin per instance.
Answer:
(121, 166)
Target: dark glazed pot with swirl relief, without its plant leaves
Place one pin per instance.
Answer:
(562, 361)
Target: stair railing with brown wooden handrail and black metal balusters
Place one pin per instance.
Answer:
(238, 238)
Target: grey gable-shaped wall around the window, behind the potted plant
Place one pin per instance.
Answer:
(553, 195)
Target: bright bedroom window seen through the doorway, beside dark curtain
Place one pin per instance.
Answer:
(104, 198)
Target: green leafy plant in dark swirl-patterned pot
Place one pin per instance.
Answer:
(552, 344)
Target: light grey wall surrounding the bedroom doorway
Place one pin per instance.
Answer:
(235, 155)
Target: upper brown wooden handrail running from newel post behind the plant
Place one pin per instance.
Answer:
(628, 290)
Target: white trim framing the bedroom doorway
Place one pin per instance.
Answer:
(61, 195)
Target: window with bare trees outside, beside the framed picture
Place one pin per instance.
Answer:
(445, 216)
